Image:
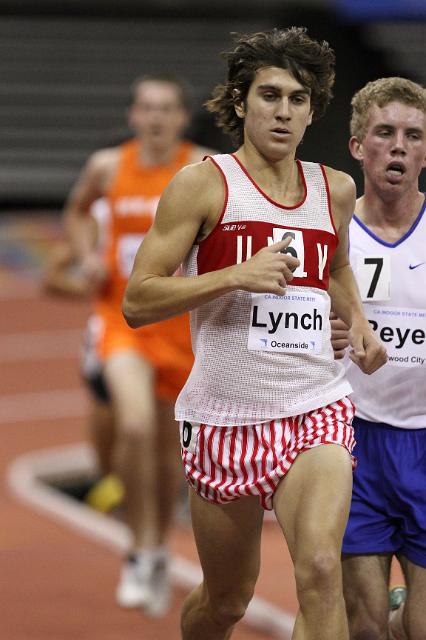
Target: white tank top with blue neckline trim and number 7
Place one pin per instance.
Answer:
(392, 282)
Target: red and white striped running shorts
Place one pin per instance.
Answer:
(225, 463)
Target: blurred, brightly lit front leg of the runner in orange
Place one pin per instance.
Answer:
(130, 380)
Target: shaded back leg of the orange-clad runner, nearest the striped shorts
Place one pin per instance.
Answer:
(169, 467)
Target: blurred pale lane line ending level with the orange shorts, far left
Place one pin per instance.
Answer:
(40, 345)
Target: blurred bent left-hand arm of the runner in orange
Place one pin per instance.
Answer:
(91, 185)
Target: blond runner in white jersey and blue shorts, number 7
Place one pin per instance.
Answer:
(388, 255)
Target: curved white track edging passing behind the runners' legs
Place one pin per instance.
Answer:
(27, 477)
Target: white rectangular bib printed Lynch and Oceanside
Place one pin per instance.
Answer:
(292, 323)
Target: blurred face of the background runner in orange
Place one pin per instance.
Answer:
(157, 114)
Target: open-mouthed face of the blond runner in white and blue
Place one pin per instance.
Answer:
(393, 151)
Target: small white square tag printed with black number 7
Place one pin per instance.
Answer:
(373, 277)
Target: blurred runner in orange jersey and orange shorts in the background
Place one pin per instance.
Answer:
(144, 369)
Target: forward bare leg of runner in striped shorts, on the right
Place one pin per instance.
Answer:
(312, 506)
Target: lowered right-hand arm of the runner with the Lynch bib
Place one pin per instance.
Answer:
(367, 351)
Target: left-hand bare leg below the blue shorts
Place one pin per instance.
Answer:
(365, 587)
